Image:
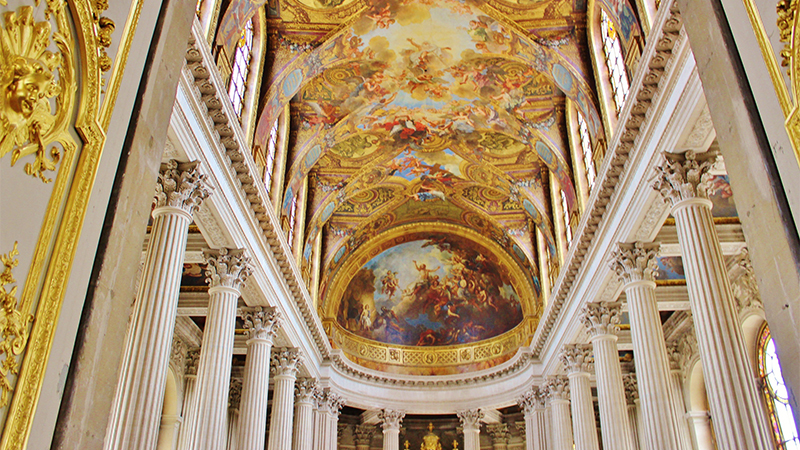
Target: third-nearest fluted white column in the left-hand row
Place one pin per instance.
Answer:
(261, 325)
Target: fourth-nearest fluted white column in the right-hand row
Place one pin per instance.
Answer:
(577, 359)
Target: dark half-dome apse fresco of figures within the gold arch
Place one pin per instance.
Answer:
(443, 290)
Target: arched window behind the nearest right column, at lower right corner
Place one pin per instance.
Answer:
(775, 394)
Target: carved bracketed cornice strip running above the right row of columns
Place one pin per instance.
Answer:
(658, 56)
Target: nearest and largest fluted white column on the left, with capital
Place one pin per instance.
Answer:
(139, 398)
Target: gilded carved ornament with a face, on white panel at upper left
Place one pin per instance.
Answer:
(28, 80)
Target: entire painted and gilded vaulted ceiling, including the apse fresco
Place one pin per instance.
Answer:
(447, 113)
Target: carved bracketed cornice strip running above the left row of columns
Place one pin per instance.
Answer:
(210, 91)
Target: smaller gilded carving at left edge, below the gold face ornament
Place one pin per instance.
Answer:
(13, 326)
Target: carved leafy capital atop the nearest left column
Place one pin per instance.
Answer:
(181, 185)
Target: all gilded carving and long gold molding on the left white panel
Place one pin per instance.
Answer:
(53, 54)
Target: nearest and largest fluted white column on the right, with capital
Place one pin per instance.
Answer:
(732, 393)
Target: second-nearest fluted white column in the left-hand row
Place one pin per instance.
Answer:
(225, 273)
